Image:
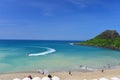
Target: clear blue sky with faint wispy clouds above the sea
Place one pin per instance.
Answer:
(57, 19)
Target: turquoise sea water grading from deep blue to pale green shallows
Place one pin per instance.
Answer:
(14, 56)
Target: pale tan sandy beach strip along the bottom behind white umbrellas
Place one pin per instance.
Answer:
(65, 75)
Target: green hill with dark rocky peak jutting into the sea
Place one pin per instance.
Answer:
(107, 39)
